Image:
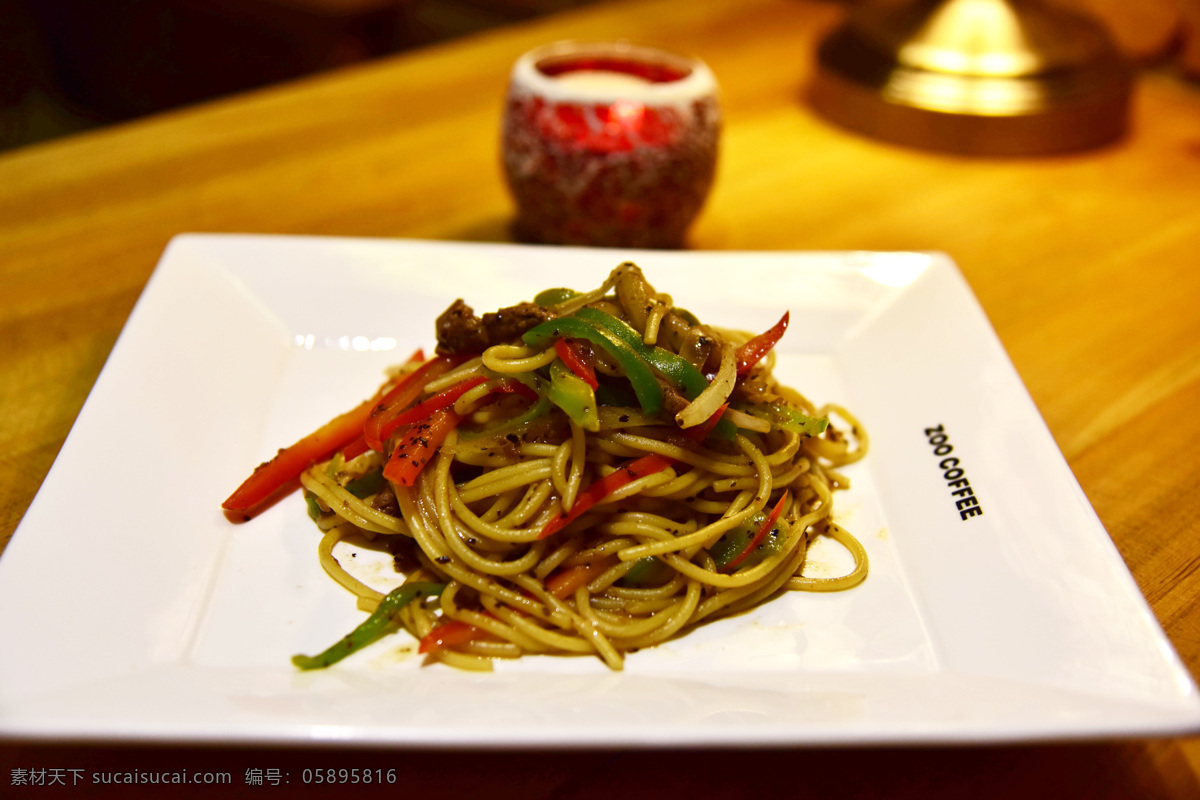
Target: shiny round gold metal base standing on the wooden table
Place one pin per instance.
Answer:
(981, 77)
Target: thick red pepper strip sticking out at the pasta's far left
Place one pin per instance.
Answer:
(287, 466)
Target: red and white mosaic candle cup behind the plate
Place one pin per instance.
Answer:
(609, 145)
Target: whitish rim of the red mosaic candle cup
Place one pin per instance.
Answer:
(698, 83)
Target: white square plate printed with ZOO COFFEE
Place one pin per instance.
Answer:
(134, 611)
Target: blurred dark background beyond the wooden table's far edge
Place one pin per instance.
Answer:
(73, 65)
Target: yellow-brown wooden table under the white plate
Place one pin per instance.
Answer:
(1087, 264)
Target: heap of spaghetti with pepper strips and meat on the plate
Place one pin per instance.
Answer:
(549, 525)
